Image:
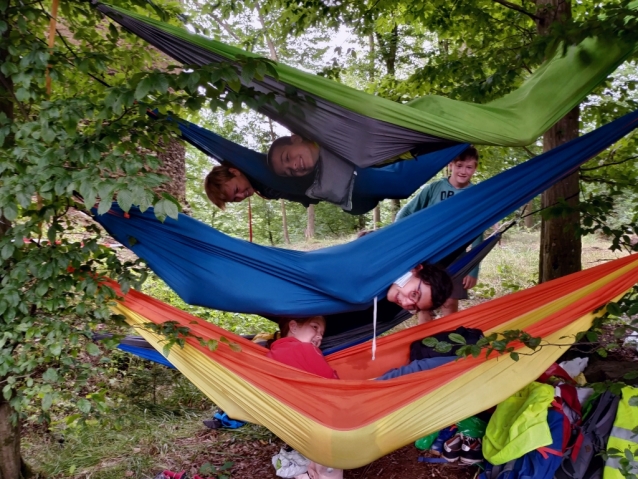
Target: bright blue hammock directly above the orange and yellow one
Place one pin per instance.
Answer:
(208, 268)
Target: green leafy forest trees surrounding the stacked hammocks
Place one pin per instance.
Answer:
(72, 119)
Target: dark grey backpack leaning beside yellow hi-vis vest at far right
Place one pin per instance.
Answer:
(582, 459)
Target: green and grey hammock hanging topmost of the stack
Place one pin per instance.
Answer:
(366, 129)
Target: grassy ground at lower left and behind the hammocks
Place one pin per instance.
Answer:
(137, 438)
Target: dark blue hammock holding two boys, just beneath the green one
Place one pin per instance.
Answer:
(395, 181)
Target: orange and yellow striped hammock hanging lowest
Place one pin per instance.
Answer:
(350, 422)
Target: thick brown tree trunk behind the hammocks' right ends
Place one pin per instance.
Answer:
(561, 248)
